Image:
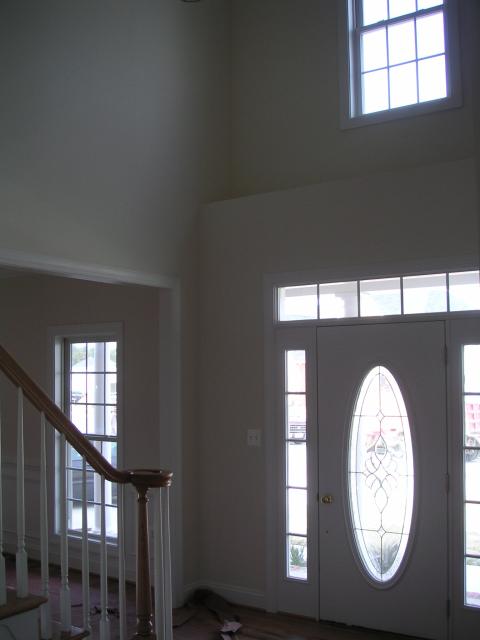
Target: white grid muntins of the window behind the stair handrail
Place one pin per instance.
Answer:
(94, 438)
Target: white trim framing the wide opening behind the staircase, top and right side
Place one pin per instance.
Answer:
(169, 395)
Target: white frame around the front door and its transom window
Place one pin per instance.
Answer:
(271, 282)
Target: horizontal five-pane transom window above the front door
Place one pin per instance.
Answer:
(430, 293)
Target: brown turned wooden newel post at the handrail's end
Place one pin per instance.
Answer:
(143, 480)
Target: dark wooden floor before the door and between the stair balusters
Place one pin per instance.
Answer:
(198, 620)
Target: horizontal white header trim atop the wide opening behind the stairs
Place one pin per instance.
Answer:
(49, 265)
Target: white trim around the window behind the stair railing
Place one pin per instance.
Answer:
(58, 335)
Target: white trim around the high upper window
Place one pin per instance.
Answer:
(348, 83)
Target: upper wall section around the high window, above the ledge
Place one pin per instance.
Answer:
(285, 107)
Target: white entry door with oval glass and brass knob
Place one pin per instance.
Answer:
(382, 465)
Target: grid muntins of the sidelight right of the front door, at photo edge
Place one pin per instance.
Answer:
(473, 453)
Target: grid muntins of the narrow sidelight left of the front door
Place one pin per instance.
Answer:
(293, 538)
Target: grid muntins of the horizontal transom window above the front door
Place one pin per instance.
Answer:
(475, 275)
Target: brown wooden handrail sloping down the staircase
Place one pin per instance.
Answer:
(55, 416)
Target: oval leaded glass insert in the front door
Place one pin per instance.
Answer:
(381, 475)
